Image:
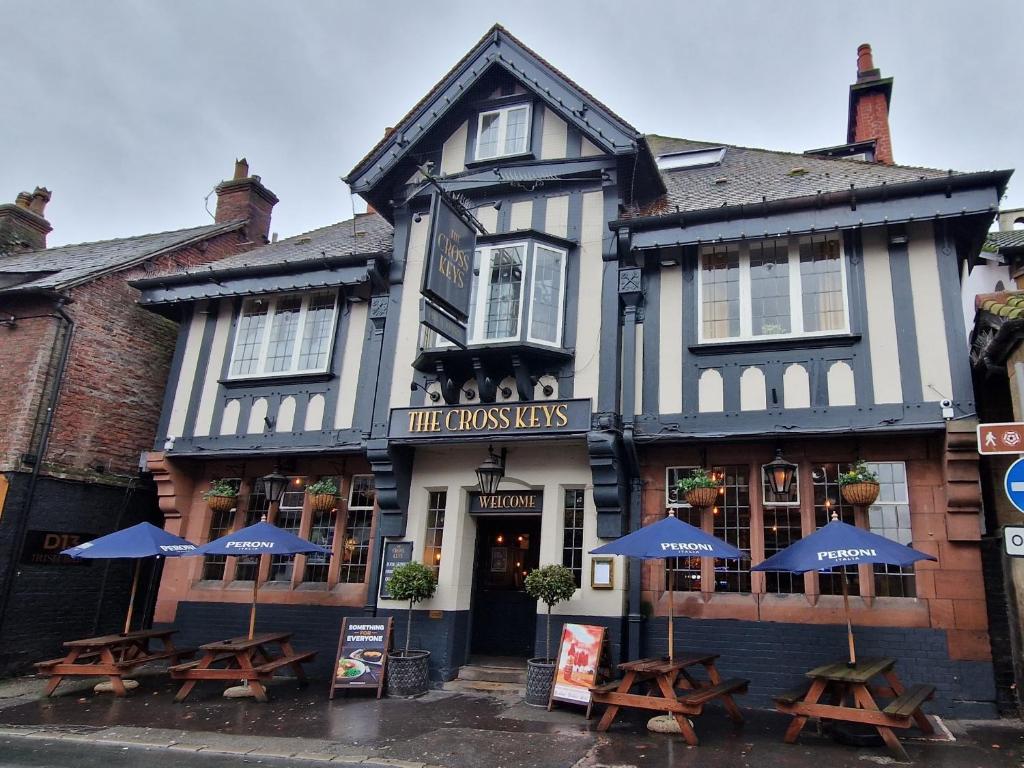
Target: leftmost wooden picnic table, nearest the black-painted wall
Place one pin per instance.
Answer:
(112, 657)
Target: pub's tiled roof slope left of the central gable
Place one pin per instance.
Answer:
(367, 234)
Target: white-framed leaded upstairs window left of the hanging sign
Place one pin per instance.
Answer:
(280, 335)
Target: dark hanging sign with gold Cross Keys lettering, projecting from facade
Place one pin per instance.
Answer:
(448, 272)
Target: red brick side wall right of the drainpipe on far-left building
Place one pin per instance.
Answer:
(120, 360)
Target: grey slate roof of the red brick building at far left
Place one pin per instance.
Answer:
(66, 267)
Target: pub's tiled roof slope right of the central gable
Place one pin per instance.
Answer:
(749, 176)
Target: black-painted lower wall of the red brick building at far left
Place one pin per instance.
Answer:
(54, 604)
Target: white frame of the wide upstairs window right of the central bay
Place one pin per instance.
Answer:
(796, 295)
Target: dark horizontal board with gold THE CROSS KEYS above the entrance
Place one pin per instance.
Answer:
(549, 417)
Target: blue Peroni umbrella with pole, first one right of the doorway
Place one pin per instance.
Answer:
(670, 538)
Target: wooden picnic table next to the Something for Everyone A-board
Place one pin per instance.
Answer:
(243, 659)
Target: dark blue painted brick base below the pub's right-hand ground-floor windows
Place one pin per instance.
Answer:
(775, 657)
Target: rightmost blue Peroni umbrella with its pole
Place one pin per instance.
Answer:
(839, 544)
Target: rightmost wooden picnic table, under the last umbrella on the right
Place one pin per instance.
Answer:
(845, 684)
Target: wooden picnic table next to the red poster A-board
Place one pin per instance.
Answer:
(671, 689)
